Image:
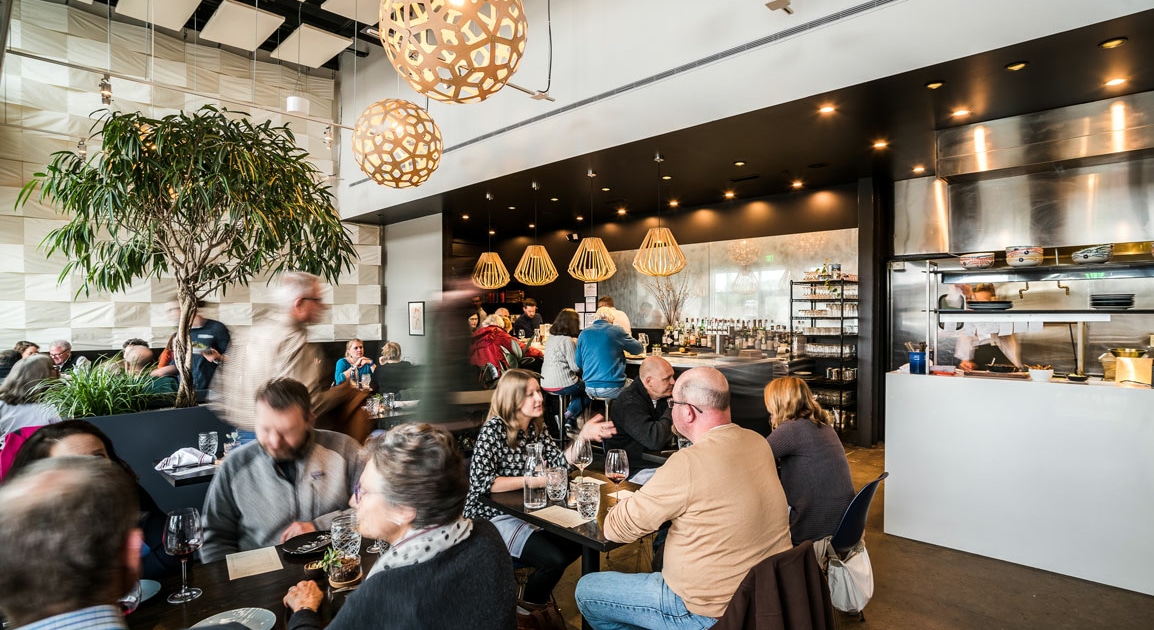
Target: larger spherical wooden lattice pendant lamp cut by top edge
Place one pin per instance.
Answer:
(454, 51)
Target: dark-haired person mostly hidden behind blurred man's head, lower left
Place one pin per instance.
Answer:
(83, 439)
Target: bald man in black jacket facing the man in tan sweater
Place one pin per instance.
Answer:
(642, 416)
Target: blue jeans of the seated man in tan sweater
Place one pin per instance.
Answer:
(610, 601)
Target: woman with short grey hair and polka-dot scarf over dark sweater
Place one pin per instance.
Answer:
(441, 571)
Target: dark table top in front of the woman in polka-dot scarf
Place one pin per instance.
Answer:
(221, 595)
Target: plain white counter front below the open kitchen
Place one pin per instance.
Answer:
(1054, 476)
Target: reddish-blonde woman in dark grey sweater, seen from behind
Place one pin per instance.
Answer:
(815, 472)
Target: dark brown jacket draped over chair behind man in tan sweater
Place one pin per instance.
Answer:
(786, 591)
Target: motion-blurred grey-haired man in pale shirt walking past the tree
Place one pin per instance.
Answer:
(275, 349)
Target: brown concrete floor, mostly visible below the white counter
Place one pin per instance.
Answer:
(928, 588)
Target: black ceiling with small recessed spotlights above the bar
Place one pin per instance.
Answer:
(793, 141)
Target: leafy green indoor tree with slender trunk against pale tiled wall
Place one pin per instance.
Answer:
(209, 198)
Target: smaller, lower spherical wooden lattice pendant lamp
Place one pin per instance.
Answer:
(396, 144)
